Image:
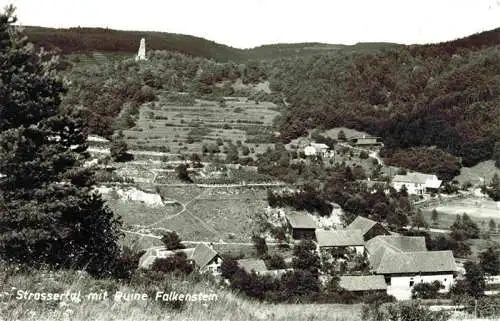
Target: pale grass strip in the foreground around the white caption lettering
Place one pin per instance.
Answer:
(228, 305)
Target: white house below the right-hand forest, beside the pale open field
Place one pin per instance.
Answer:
(417, 183)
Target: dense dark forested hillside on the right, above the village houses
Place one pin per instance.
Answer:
(443, 96)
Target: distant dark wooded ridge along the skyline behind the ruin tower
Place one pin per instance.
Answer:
(88, 40)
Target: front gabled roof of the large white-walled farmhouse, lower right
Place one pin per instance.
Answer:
(416, 262)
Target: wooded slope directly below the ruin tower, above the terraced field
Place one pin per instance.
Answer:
(106, 86)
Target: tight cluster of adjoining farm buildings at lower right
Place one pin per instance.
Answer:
(396, 263)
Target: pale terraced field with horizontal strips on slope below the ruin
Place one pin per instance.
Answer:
(183, 130)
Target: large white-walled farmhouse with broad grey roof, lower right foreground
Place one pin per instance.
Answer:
(402, 270)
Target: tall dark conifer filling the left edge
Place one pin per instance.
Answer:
(48, 213)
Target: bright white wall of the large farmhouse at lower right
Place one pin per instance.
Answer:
(400, 285)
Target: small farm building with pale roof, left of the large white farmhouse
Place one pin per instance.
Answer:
(351, 240)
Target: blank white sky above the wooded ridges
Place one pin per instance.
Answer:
(249, 23)
